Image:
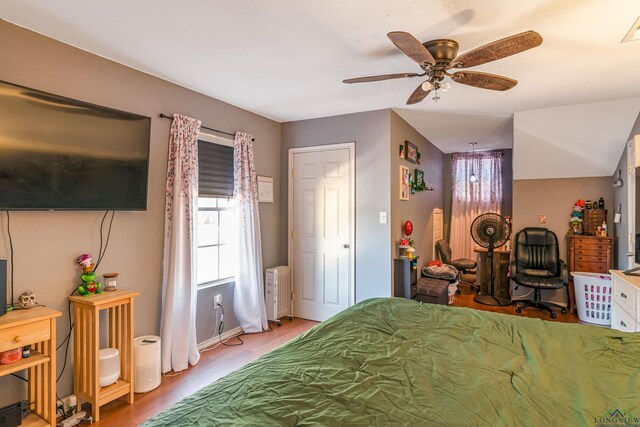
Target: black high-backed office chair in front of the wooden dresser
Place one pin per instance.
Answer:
(537, 265)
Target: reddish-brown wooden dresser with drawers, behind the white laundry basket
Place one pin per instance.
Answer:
(589, 254)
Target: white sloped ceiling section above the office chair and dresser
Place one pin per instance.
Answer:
(572, 141)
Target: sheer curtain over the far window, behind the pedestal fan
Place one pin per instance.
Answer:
(468, 200)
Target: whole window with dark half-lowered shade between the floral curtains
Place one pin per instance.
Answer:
(216, 260)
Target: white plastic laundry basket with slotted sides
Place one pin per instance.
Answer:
(593, 297)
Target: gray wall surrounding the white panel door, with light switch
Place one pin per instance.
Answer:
(370, 131)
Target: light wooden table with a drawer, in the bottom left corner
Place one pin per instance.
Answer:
(35, 327)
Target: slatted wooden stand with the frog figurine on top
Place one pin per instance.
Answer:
(86, 339)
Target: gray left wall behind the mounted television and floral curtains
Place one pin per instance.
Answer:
(47, 244)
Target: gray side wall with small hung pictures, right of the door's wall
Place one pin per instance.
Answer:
(419, 208)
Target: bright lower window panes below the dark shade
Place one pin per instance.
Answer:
(215, 227)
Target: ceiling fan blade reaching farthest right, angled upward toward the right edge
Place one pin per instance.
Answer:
(498, 49)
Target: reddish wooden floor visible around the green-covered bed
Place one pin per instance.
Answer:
(223, 360)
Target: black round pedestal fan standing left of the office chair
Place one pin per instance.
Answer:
(490, 231)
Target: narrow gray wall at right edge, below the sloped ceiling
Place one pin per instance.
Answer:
(621, 198)
